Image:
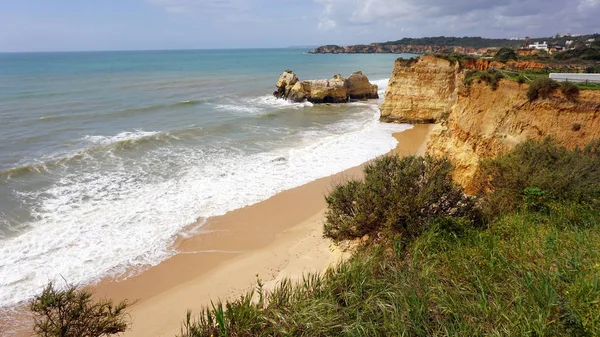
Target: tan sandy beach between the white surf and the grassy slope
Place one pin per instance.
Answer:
(279, 237)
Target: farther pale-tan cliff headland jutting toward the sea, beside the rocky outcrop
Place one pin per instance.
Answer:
(420, 90)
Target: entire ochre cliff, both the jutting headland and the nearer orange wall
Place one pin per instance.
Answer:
(481, 123)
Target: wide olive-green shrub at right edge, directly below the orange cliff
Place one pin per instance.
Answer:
(557, 173)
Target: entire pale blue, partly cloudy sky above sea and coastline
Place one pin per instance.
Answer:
(70, 25)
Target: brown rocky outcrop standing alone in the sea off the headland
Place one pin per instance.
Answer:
(335, 90)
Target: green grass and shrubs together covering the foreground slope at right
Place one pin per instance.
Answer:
(533, 269)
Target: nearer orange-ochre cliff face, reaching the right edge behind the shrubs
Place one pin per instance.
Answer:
(484, 123)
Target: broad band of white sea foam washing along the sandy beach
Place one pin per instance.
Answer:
(100, 222)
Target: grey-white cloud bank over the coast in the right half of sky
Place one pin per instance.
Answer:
(501, 18)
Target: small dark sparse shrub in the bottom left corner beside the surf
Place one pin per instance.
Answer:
(71, 312)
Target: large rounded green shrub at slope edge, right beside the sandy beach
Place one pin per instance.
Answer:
(398, 195)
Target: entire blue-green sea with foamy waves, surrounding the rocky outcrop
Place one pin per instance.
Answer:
(106, 158)
